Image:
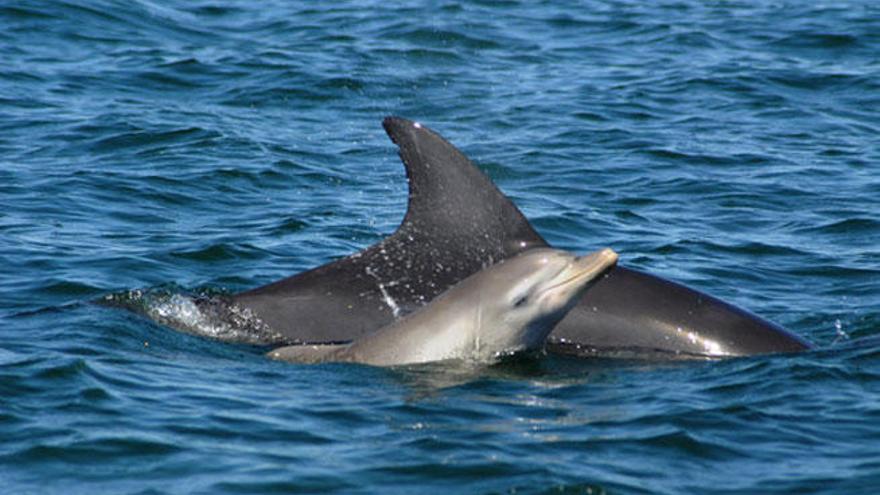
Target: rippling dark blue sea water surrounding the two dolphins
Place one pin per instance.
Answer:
(179, 147)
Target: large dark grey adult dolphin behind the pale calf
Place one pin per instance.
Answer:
(457, 223)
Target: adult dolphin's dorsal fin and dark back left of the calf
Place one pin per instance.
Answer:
(457, 223)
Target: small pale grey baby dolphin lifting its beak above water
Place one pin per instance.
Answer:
(509, 307)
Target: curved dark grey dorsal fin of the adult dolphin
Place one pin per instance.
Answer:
(450, 197)
